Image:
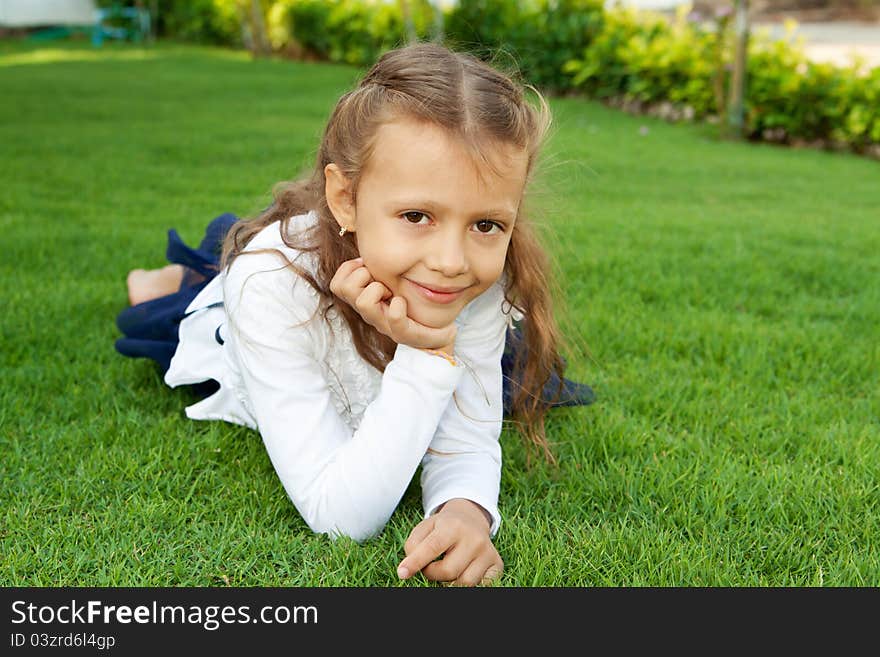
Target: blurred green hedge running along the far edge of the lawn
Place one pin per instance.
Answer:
(645, 62)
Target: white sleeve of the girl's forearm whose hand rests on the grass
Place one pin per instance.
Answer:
(464, 459)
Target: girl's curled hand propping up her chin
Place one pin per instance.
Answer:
(387, 313)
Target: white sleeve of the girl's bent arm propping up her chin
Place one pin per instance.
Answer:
(341, 483)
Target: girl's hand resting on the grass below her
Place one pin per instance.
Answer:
(460, 533)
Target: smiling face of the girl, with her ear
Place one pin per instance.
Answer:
(425, 220)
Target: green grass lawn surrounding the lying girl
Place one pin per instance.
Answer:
(729, 295)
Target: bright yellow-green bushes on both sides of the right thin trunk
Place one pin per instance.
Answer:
(647, 60)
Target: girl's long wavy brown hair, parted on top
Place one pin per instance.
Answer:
(481, 106)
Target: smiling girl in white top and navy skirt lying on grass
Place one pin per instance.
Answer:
(364, 322)
